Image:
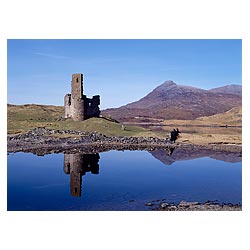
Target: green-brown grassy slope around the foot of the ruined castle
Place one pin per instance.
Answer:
(22, 118)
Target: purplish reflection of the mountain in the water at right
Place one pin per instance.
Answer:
(183, 154)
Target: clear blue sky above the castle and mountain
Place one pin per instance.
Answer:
(120, 71)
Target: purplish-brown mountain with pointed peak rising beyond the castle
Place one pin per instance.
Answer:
(173, 101)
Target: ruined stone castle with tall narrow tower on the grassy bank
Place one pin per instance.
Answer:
(77, 106)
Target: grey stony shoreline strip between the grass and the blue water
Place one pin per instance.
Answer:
(44, 141)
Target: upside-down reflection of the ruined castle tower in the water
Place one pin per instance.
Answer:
(77, 165)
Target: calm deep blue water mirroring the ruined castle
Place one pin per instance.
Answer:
(116, 180)
